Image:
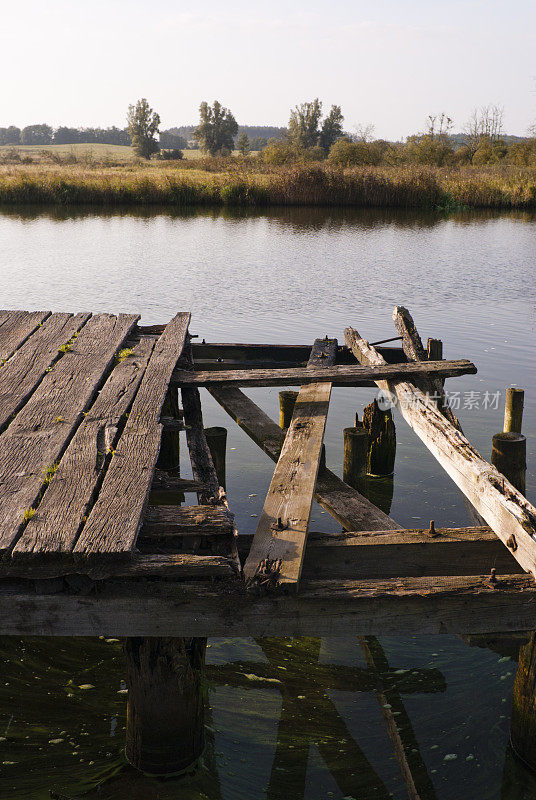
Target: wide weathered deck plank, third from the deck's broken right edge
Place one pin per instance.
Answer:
(37, 437)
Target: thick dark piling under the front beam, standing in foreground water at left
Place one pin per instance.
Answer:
(165, 711)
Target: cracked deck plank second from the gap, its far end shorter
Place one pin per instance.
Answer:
(74, 485)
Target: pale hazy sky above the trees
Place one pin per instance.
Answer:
(386, 62)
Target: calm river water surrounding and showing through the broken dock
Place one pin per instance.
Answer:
(289, 719)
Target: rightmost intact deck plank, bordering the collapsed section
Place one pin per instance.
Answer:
(115, 519)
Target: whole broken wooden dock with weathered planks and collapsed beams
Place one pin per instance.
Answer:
(95, 537)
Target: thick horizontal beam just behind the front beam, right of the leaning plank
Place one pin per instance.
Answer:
(393, 554)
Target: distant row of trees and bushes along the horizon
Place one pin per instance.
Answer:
(309, 136)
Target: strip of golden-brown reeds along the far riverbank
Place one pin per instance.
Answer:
(248, 184)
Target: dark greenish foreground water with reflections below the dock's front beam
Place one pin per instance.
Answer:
(311, 719)
